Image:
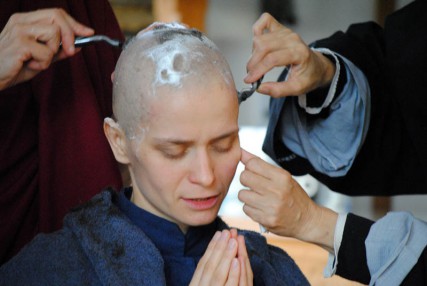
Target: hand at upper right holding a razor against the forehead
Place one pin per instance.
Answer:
(274, 45)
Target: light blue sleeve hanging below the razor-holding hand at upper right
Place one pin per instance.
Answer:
(330, 144)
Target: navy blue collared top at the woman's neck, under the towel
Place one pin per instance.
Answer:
(181, 252)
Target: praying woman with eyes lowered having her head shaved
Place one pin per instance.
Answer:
(175, 128)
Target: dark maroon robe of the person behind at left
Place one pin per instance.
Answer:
(53, 152)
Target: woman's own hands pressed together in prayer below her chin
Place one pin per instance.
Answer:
(225, 262)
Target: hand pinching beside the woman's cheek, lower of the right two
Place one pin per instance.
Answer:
(274, 199)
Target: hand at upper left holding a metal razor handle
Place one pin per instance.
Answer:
(30, 42)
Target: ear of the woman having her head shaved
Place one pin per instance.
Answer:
(117, 139)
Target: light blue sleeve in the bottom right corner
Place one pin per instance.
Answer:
(393, 246)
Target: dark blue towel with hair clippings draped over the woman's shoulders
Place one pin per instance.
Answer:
(99, 245)
